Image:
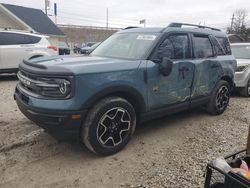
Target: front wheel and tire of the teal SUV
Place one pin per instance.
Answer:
(109, 126)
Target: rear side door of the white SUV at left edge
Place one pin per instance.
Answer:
(14, 48)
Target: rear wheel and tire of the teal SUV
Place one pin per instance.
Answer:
(219, 98)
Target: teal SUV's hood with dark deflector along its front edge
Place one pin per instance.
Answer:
(79, 64)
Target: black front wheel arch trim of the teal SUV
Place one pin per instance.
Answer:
(129, 93)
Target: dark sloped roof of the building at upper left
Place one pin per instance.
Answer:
(35, 18)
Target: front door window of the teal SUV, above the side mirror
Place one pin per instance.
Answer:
(174, 47)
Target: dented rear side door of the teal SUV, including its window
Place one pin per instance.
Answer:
(208, 69)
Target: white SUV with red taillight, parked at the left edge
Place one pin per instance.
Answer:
(17, 46)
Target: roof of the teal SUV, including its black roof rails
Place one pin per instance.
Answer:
(178, 29)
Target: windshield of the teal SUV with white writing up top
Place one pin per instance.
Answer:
(126, 45)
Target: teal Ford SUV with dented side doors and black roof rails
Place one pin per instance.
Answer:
(135, 75)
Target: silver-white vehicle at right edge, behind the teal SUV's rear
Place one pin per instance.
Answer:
(241, 52)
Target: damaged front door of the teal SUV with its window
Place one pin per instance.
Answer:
(176, 87)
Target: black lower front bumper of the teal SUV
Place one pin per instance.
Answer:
(52, 120)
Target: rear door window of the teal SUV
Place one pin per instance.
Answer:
(202, 46)
